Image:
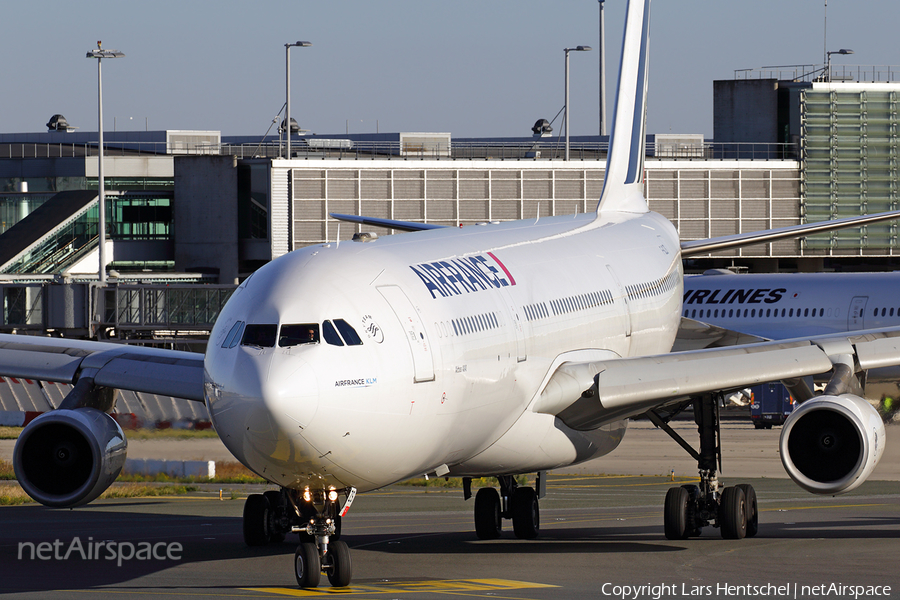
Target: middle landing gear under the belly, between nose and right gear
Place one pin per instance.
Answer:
(512, 502)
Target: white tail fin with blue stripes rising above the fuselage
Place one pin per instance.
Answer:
(624, 179)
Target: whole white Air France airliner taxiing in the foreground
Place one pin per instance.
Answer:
(491, 350)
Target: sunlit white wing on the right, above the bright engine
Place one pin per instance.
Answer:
(587, 395)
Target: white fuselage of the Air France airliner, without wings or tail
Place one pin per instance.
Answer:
(460, 329)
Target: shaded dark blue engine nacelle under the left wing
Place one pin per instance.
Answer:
(66, 458)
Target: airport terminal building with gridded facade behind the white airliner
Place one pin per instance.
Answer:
(193, 212)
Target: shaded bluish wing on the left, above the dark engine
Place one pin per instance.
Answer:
(119, 366)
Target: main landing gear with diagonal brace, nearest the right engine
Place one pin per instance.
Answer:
(689, 508)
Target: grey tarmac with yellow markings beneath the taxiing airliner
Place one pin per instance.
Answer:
(601, 536)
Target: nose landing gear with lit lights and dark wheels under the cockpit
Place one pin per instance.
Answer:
(313, 514)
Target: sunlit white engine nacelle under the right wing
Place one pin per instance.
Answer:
(831, 444)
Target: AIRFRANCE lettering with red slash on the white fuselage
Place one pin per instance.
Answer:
(464, 275)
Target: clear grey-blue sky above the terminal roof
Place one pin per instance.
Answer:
(469, 67)
